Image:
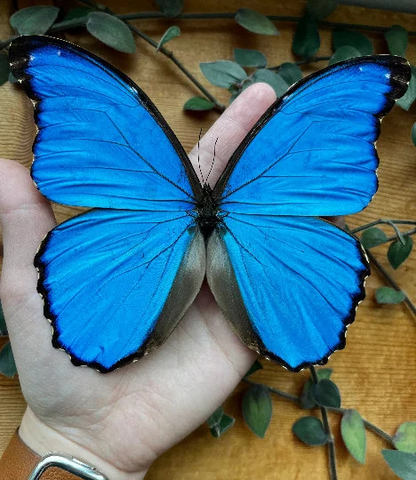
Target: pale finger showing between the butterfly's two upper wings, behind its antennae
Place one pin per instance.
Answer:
(230, 129)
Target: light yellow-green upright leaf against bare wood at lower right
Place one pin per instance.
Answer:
(354, 434)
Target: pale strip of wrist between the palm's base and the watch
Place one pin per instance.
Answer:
(43, 439)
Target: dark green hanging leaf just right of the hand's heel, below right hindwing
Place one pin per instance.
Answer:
(257, 409)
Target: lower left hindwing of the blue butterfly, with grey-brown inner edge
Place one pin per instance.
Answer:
(118, 281)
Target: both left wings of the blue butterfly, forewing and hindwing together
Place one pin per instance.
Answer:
(117, 279)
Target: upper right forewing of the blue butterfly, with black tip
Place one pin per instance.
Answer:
(313, 151)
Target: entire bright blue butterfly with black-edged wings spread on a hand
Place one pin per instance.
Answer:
(117, 279)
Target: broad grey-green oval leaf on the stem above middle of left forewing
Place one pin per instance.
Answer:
(111, 31)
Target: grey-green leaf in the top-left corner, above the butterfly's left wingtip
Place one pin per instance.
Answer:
(34, 20)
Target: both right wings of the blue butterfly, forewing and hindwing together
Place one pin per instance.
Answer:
(288, 282)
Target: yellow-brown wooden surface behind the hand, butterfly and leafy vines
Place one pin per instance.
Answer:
(376, 371)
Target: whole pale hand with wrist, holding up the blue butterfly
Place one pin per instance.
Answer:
(122, 421)
